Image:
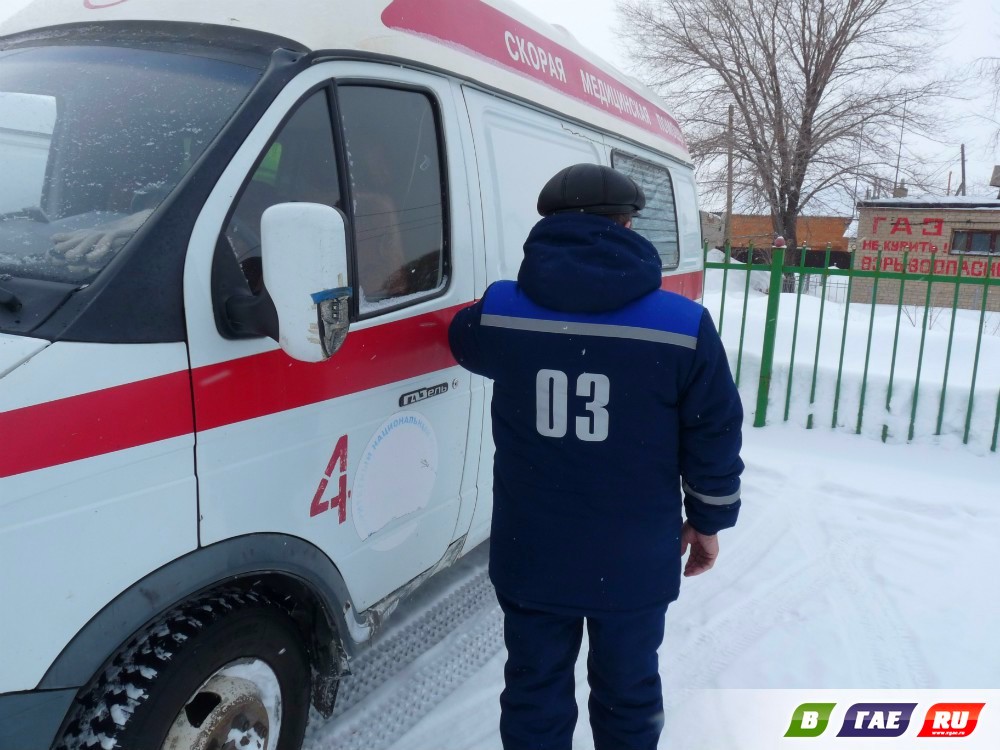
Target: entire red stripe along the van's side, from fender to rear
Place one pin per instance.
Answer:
(126, 416)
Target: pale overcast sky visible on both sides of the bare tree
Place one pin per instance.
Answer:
(975, 33)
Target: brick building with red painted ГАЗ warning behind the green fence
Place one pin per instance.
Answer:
(957, 232)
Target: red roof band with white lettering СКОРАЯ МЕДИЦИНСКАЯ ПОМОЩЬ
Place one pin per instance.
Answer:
(488, 33)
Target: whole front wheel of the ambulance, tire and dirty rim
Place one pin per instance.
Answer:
(223, 672)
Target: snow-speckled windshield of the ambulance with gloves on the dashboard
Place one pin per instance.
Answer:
(92, 139)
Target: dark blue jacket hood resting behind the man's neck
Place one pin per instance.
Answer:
(587, 263)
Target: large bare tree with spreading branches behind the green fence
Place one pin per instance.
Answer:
(820, 88)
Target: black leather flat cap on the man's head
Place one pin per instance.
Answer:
(590, 188)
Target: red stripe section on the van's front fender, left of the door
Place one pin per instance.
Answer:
(95, 423)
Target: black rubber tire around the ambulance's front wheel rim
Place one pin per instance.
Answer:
(133, 703)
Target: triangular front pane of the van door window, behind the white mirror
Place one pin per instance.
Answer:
(299, 165)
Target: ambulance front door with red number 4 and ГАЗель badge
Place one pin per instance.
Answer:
(362, 455)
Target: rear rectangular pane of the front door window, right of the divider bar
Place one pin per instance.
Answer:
(395, 175)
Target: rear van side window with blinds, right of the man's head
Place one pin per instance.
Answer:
(657, 222)
